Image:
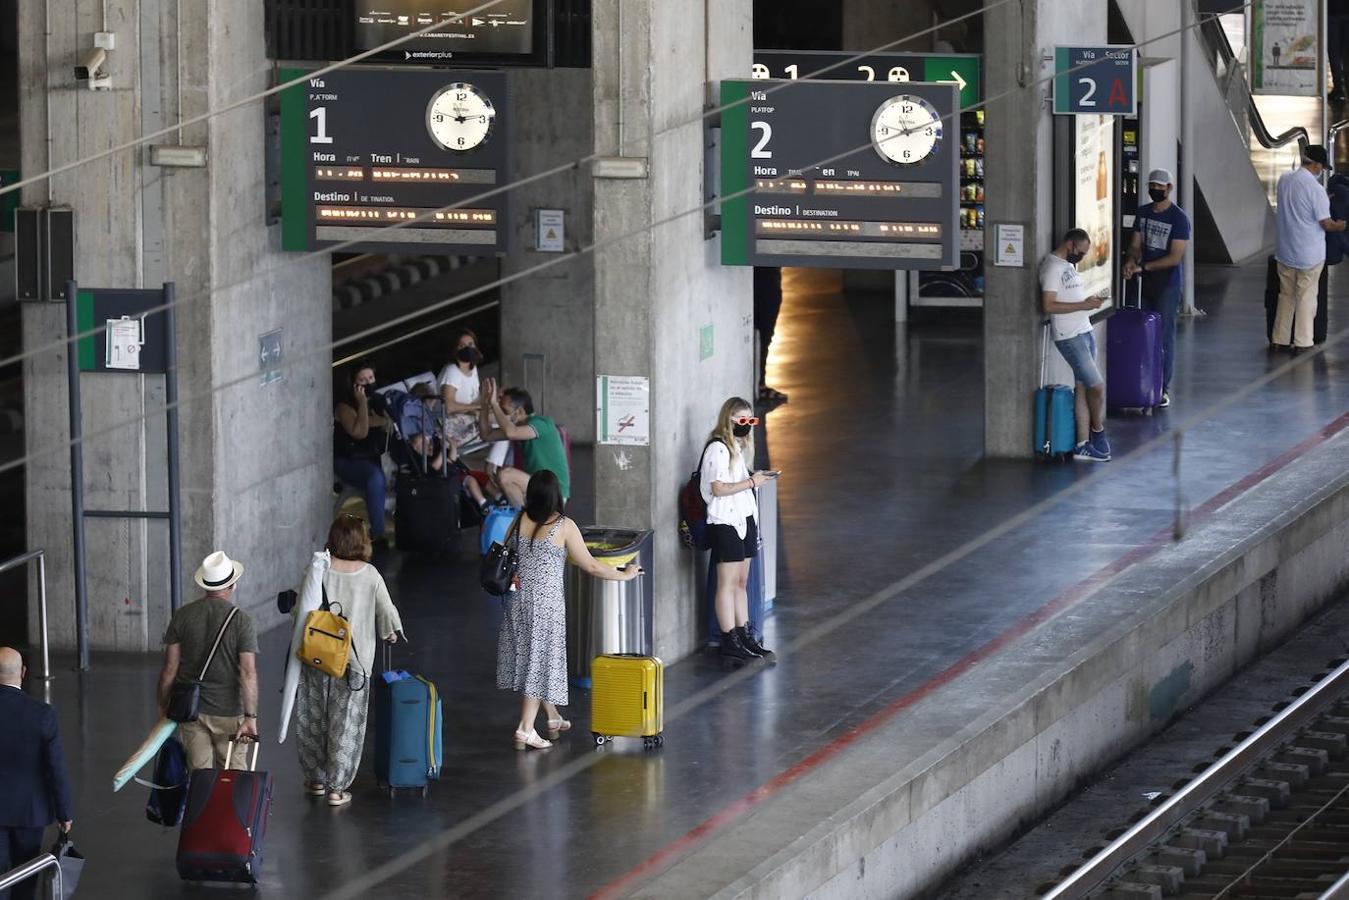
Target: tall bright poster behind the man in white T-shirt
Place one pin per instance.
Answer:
(1093, 200)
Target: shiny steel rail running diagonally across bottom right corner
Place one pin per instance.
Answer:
(1193, 795)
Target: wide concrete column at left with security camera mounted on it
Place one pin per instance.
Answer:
(256, 461)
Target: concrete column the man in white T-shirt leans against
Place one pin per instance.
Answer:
(1019, 172)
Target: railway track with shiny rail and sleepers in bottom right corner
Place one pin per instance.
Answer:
(1269, 820)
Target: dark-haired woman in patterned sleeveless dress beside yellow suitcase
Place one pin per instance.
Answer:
(532, 650)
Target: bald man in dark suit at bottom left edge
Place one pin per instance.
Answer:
(33, 772)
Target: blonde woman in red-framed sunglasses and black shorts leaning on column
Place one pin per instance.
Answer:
(728, 488)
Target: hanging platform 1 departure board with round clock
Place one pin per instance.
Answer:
(366, 149)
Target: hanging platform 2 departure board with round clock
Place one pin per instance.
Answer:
(841, 175)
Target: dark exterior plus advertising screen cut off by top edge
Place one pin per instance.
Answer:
(508, 32)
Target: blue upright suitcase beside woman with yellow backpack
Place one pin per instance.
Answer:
(409, 750)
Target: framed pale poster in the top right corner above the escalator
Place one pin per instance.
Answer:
(1285, 49)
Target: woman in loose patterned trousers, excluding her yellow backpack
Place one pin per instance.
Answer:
(331, 713)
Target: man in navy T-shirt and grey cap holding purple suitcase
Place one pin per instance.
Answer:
(1161, 234)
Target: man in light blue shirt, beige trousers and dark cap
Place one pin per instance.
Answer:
(1304, 219)
